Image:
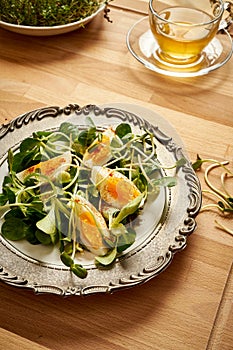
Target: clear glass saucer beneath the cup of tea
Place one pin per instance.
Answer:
(142, 45)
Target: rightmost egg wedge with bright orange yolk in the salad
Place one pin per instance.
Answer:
(114, 188)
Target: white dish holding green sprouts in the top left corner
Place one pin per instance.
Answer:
(48, 31)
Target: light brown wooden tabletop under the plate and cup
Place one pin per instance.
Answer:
(189, 305)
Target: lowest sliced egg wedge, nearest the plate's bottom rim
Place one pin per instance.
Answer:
(91, 225)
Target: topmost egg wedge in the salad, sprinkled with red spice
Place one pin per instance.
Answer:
(99, 152)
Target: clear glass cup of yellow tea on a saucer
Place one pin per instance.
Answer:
(183, 28)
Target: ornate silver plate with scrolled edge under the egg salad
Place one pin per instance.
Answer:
(164, 226)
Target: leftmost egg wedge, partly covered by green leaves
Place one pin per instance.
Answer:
(50, 168)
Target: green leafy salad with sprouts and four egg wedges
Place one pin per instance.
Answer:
(81, 189)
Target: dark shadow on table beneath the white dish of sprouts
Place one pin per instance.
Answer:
(43, 49)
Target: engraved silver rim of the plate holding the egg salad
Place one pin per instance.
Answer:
(146, 262)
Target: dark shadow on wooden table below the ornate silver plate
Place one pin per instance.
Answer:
(54, 321)
